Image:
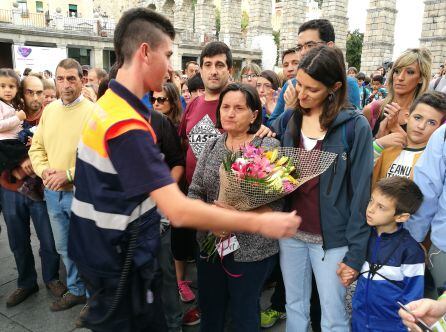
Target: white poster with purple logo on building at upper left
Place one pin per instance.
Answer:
(38, 58)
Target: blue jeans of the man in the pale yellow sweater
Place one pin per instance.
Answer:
(59, 211)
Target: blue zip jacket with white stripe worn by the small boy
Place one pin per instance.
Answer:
(393, 271)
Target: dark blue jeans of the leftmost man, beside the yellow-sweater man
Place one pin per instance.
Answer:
(17, 211)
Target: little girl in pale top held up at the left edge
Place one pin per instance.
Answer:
(14, 140)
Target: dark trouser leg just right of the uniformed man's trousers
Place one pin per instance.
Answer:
(169, 292)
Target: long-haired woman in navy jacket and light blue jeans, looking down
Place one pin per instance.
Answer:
(333, 234)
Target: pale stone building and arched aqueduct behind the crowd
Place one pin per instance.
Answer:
(86, 28)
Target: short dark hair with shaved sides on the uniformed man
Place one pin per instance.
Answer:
(136, 26)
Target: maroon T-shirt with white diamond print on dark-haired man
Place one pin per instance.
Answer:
(197, 127)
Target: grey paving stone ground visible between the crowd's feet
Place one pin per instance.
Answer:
(34, 314)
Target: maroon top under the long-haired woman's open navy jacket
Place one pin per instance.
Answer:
(305, 200)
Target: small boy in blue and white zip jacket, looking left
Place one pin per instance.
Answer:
(394, 268)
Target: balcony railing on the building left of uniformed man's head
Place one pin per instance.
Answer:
(57, 22)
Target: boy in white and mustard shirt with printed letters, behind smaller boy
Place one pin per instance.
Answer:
(427, 113)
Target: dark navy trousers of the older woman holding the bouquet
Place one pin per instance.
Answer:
(217, 289)
